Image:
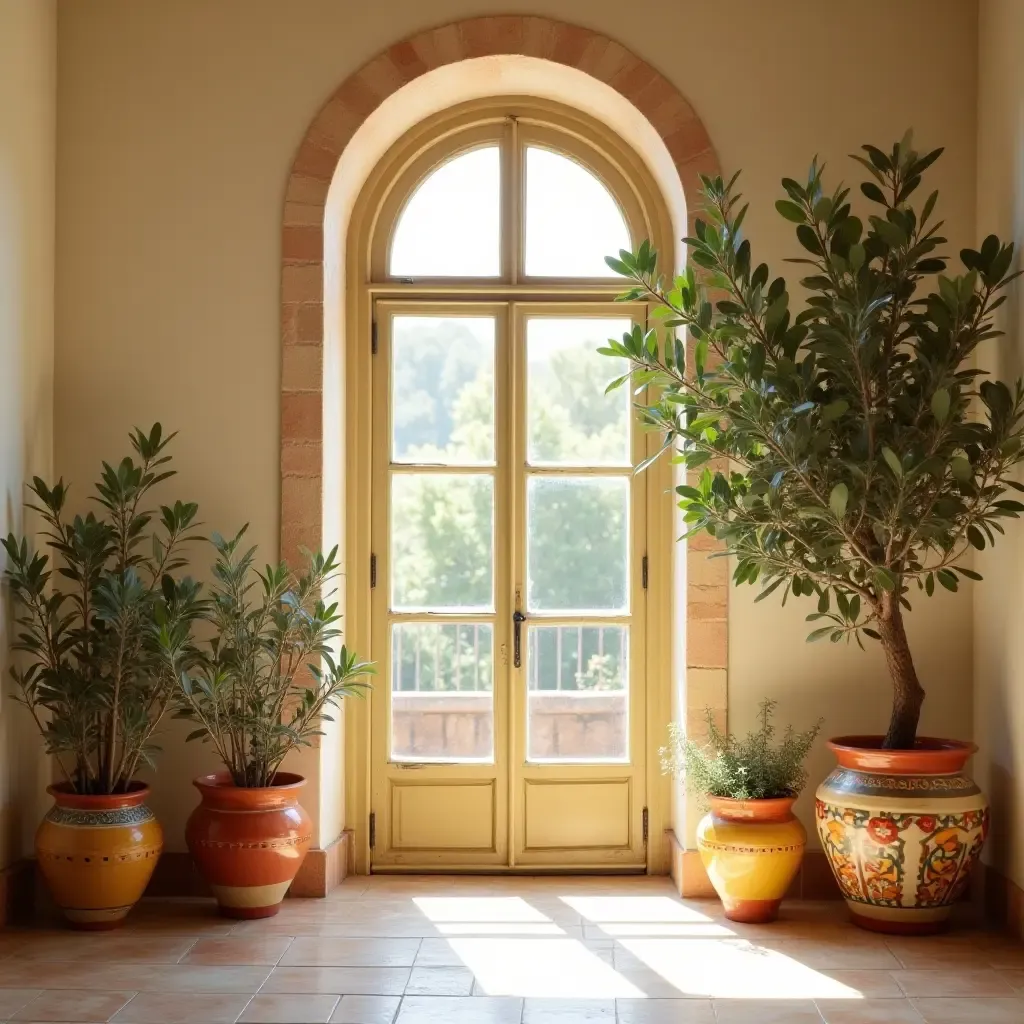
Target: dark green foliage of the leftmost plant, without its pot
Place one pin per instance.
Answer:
(99, 617)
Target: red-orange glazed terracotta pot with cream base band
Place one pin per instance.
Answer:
(249, 843)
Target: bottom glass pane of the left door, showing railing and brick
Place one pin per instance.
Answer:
(443, 692)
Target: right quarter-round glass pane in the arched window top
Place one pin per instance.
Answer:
(573, 222)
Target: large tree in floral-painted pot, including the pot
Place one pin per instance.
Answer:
(851, 454)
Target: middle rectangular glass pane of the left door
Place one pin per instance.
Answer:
(442, 542)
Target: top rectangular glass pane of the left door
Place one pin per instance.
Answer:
(443, 390)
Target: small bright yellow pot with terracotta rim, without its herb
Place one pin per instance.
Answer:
(752, 850)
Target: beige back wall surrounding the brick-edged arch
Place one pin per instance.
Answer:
(178, 126)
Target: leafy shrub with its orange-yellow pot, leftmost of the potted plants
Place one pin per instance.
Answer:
(95, 676)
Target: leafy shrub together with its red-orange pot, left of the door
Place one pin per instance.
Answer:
(272, 674)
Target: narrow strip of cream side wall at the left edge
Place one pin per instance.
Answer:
(28, 121)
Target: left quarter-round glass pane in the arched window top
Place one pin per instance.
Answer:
(451, 226)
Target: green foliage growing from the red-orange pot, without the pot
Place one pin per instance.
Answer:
(272, 672)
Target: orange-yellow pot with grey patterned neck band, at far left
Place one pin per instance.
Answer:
(98, 854)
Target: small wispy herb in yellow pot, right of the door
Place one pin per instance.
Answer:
(750, 842)
